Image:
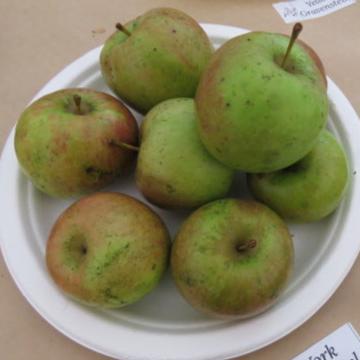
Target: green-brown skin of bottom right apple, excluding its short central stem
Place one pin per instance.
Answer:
(218, 279)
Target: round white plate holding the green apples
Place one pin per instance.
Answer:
(162, 325)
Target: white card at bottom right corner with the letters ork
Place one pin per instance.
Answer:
(342, 344)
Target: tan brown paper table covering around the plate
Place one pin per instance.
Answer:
(38, 38)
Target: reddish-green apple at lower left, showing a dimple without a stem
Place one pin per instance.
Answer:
(107, 250)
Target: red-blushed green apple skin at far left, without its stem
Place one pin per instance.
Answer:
(66, 154)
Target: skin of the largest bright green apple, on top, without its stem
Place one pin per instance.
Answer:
(255, 115)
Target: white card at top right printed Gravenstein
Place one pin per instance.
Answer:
(299, 10)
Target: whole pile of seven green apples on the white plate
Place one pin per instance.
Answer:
(257, 105)
